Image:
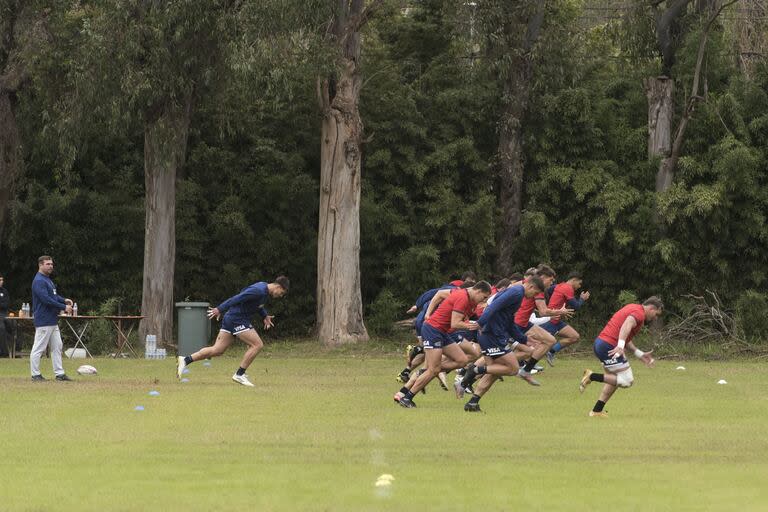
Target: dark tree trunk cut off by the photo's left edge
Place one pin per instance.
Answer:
(10, 156)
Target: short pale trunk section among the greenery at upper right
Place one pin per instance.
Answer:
(659, 91)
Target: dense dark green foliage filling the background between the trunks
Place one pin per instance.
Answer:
(247, 195)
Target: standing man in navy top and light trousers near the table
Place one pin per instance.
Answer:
(46, 306)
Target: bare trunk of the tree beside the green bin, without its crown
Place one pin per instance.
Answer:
(165, 140)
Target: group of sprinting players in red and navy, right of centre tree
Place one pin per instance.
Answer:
(489, 332)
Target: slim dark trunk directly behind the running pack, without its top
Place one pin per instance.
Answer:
(516, 92)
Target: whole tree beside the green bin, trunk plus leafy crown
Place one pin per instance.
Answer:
(158, 58)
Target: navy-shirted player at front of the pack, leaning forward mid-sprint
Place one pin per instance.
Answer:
(497, 329)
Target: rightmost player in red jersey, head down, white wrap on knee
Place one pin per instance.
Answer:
(615, 337)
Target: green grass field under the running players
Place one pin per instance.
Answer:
(317, 432)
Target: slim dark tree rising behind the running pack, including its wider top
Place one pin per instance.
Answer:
(511, 29)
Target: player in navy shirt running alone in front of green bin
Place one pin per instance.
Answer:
(238, 311)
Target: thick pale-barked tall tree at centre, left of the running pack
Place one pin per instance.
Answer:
(339, 302)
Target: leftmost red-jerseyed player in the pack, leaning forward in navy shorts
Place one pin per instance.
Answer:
(452, 314)
